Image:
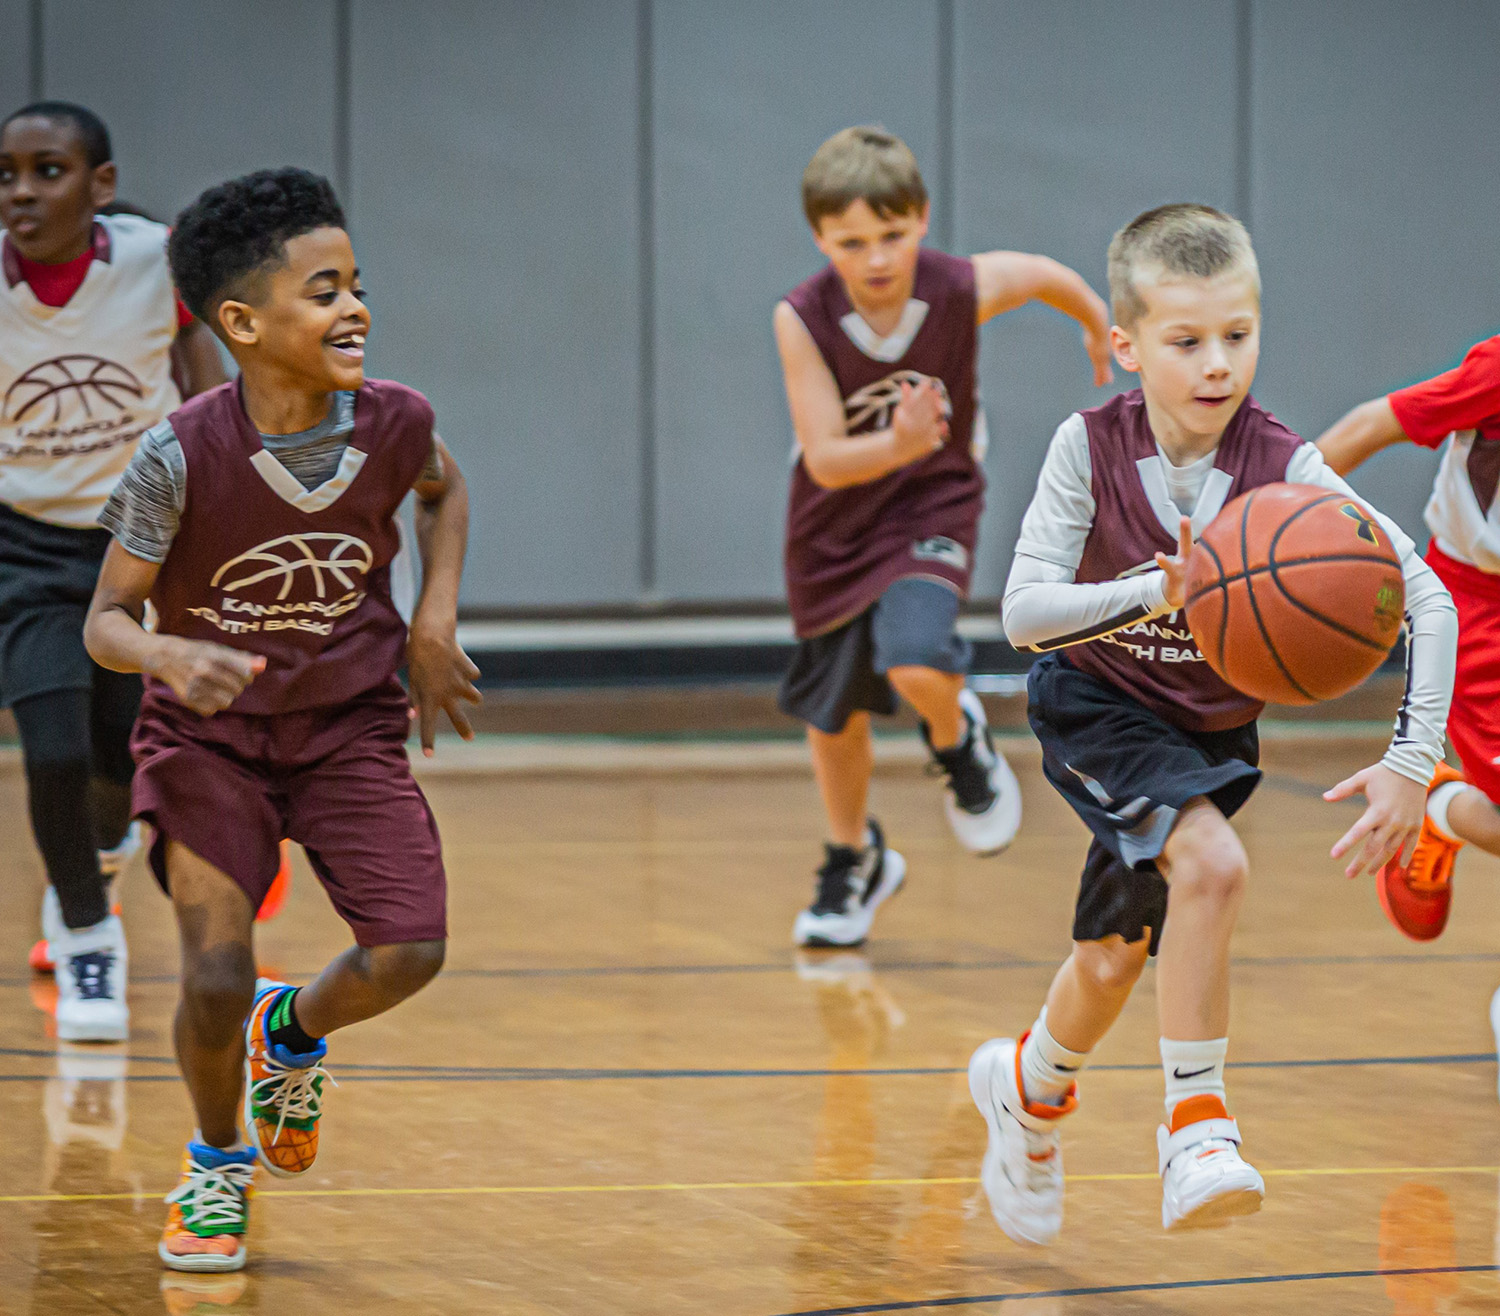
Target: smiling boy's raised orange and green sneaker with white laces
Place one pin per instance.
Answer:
(283, 1090)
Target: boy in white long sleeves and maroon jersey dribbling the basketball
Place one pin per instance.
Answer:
(1144, 741)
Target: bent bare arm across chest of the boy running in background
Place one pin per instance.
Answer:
(833, 457)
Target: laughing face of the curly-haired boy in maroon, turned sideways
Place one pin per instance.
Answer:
(304, 319)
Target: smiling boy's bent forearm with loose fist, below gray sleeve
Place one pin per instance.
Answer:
(206, 678)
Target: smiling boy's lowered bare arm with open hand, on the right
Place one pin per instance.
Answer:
(442, 675)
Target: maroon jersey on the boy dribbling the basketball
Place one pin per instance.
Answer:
(1157, 661)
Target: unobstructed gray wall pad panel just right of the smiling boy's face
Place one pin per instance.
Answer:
(496, 209)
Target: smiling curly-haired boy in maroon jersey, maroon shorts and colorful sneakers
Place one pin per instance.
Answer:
(260, 523)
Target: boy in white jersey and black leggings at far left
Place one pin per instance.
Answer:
(92, 338)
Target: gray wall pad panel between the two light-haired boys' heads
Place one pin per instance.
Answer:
(1049, 160)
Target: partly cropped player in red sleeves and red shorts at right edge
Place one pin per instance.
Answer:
(1465, 551)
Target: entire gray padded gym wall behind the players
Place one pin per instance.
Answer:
(568, 232)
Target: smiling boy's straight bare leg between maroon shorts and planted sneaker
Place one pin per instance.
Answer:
(215, 919)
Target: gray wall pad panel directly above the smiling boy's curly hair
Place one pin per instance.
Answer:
(197, 91)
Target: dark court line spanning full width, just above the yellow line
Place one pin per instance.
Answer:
(356, 1072)
